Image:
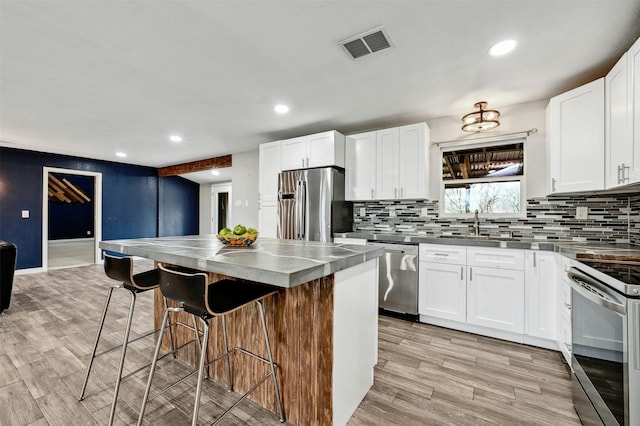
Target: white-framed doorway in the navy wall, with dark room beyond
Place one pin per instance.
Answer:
(71, 219)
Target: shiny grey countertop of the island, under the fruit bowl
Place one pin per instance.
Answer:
(283, 263)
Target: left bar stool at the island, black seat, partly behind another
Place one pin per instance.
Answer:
(121, 269)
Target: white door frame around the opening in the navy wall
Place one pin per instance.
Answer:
(97, 209)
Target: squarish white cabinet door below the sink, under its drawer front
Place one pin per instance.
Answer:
(495, 298)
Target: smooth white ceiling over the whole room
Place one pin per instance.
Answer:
(93, 78)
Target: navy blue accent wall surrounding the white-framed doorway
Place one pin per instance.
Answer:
(131, 200)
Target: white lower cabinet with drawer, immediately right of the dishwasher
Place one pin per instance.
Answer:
(442, 283)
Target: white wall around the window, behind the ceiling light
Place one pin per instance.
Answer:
(513, 118)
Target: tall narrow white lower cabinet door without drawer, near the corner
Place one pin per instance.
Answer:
(540, 295)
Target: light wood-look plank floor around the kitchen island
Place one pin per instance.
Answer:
(426, 375)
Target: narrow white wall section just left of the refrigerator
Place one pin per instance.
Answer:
(244, 204)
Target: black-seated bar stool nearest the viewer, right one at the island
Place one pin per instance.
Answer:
(208, 301)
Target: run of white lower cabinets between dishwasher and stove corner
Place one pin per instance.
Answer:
(505, 293)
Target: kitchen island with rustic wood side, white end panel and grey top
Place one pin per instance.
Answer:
(322, 324)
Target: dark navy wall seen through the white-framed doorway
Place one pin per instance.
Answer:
(74, 219)
